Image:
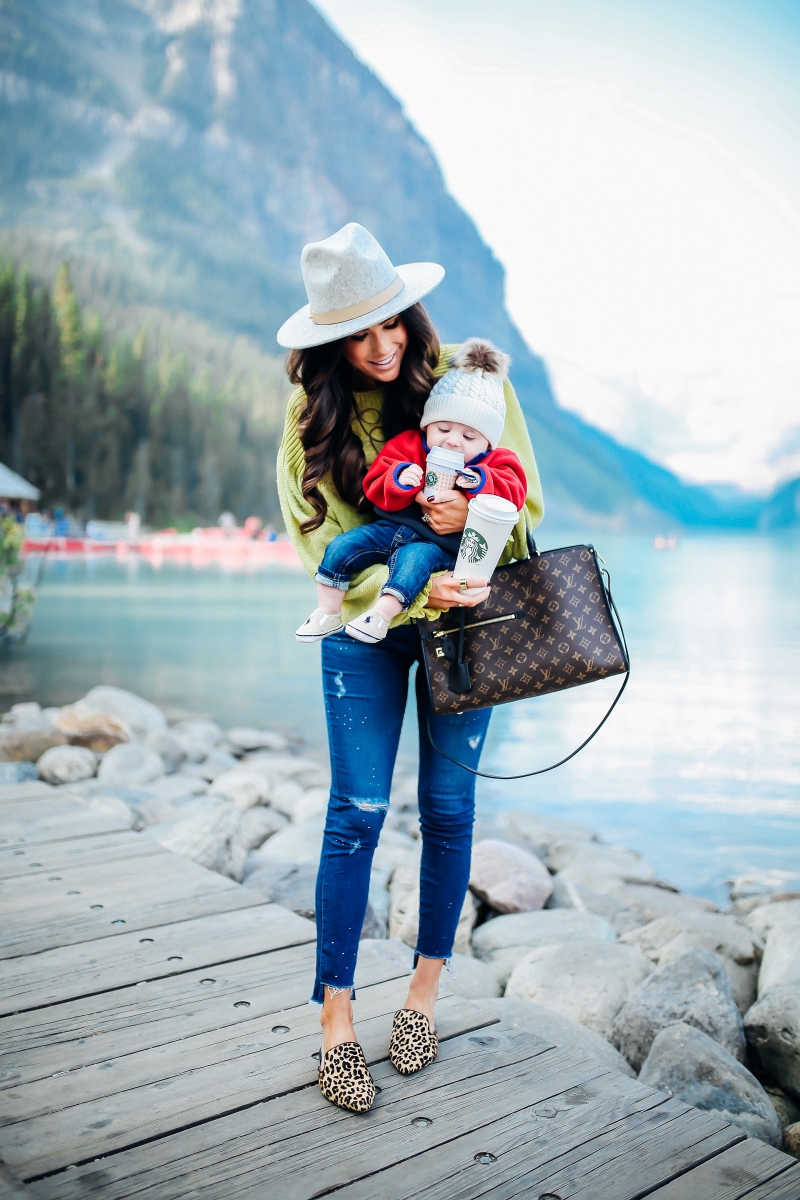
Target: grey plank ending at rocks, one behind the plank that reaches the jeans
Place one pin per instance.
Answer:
(151, 892)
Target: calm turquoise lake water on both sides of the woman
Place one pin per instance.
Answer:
(699, 769)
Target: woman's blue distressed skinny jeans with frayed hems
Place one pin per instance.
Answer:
(366, 689)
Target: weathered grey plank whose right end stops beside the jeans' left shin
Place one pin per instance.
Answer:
(55, 977)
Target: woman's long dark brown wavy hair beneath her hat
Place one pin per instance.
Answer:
(332, 446)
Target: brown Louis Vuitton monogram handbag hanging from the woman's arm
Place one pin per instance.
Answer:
(546, 627)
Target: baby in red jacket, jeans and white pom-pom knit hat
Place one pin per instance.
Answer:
(465, 413)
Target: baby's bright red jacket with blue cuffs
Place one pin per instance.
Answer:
(501, 473)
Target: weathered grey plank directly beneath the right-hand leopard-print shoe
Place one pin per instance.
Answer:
(207, 1077)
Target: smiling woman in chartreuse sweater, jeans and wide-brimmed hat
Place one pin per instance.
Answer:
(365, 357)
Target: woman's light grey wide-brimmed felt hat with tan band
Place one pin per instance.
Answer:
(352, 285)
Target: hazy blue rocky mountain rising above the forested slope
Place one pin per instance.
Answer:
(196, 146)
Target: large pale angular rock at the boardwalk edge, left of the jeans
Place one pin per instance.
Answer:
(206, 831)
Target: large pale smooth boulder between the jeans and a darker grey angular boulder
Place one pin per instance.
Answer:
(588, 982)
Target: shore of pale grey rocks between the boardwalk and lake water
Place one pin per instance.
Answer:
(561, 934)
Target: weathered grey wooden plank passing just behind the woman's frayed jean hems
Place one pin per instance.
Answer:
(104, 1029)
